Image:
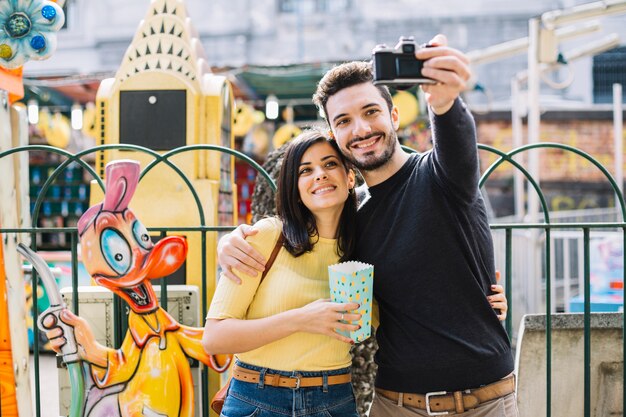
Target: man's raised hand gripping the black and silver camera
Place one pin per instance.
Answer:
(449, 67)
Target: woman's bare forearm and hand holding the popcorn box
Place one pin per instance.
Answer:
(237, 336)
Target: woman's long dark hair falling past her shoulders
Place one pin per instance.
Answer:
(299, 226)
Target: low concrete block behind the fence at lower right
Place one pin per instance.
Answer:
(607, 366)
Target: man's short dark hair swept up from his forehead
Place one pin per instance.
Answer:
(344, 76)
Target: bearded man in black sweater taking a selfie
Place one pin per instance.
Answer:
(424, 227)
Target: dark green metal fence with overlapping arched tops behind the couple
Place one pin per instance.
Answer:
(502, 157)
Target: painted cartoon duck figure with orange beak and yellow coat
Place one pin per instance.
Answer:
(149, 375)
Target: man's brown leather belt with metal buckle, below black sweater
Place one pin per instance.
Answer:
(442, 402)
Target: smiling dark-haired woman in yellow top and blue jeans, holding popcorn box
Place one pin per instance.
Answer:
(285, 325)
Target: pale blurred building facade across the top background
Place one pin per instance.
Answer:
(239, 33)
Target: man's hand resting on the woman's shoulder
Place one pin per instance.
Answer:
(233, 252)
